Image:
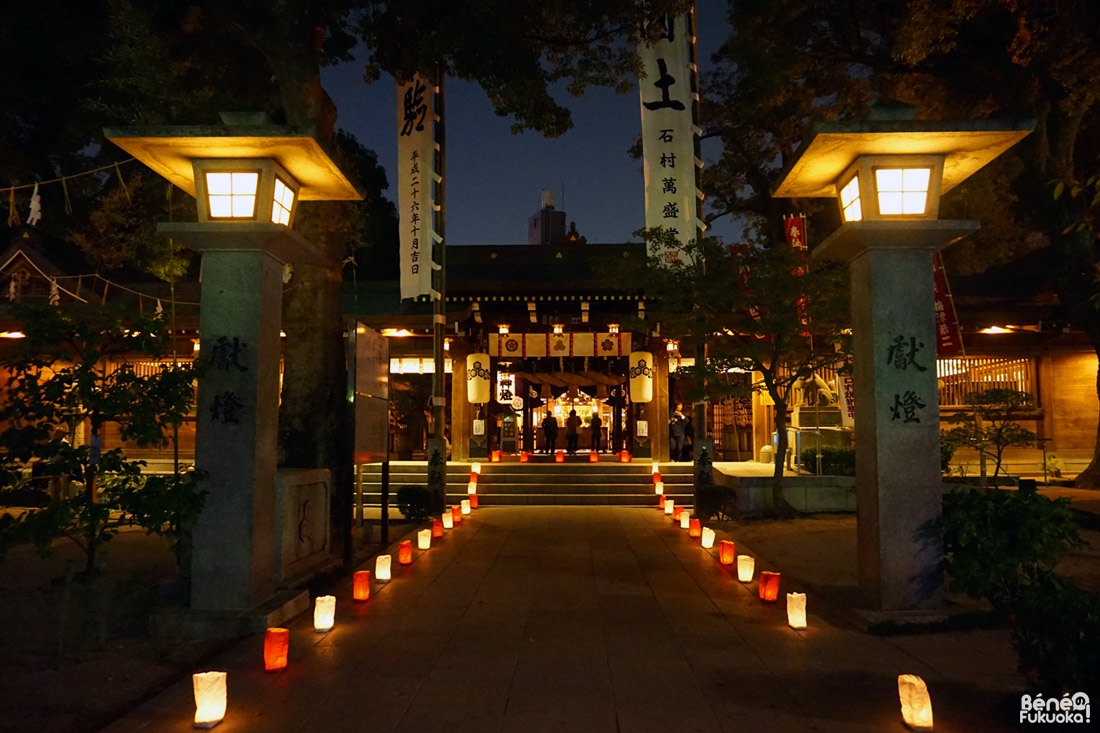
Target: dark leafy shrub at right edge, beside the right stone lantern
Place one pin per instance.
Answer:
(1004, 546)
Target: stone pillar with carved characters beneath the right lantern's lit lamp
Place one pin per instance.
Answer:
(898, 483)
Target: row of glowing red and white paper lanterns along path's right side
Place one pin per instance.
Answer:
(912, 692)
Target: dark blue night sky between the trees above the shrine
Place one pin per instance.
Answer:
(496, 179)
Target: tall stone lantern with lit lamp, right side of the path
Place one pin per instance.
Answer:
(887, 177)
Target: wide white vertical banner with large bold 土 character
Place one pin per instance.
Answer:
(668, 134)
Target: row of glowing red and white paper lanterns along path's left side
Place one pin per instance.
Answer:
(211, 687)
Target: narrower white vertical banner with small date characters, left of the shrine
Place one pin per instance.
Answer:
(416, 176)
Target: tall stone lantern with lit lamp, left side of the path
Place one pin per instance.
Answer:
(248, 182)
